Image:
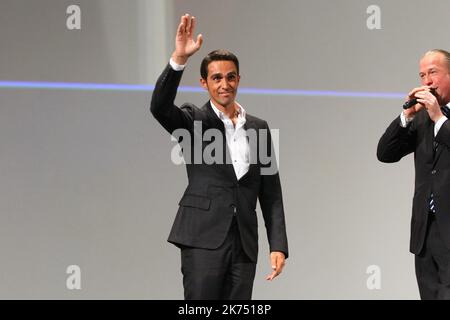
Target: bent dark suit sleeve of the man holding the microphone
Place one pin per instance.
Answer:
(397, 141)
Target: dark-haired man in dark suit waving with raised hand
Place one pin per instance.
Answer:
(216, 224)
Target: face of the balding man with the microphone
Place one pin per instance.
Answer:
(434, 72)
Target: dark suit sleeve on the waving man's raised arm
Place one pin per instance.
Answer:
(162, 105)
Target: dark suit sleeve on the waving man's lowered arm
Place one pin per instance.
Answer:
(271, 201)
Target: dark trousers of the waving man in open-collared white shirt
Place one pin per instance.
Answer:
(225, 273)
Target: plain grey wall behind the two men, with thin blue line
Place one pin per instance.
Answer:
(86, 176)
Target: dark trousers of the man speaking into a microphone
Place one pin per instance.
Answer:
(433, 265)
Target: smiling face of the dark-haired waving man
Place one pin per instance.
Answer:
(222, 82)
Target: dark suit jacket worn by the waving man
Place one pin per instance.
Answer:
(214, 195)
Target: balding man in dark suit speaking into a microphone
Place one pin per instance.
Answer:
(425, 130)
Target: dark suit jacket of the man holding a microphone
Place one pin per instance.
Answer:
(432, 171)
